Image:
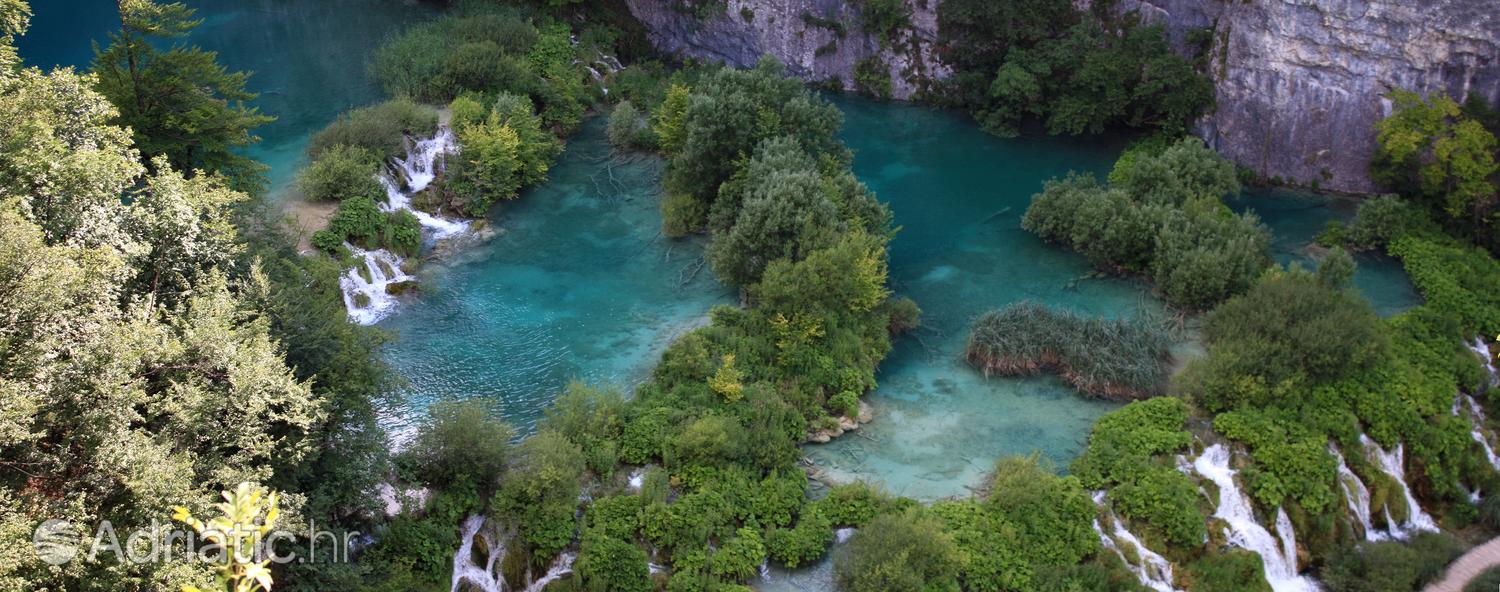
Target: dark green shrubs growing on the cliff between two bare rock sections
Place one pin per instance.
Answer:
(1079, 73)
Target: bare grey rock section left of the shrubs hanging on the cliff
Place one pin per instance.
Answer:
(805, 35)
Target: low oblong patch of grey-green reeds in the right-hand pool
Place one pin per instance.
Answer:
(1102, 357)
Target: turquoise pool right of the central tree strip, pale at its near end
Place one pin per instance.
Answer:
(959, 196)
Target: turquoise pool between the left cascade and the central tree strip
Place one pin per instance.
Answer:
(580, 286)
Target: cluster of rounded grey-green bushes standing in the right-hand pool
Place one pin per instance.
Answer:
(1163, 218)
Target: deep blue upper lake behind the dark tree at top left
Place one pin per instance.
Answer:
(308, 56)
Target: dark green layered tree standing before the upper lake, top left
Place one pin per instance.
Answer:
(179, 103)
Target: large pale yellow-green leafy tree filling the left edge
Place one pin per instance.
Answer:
(158, 350)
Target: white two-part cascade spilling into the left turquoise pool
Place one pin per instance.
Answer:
(367, 292)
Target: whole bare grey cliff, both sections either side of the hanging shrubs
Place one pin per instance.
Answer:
(1300, 83)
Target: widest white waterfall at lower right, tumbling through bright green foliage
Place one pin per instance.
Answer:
(1280, 558)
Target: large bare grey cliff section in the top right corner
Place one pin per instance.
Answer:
(1301, 83)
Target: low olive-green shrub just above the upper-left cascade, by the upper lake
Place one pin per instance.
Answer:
(382, 130)
